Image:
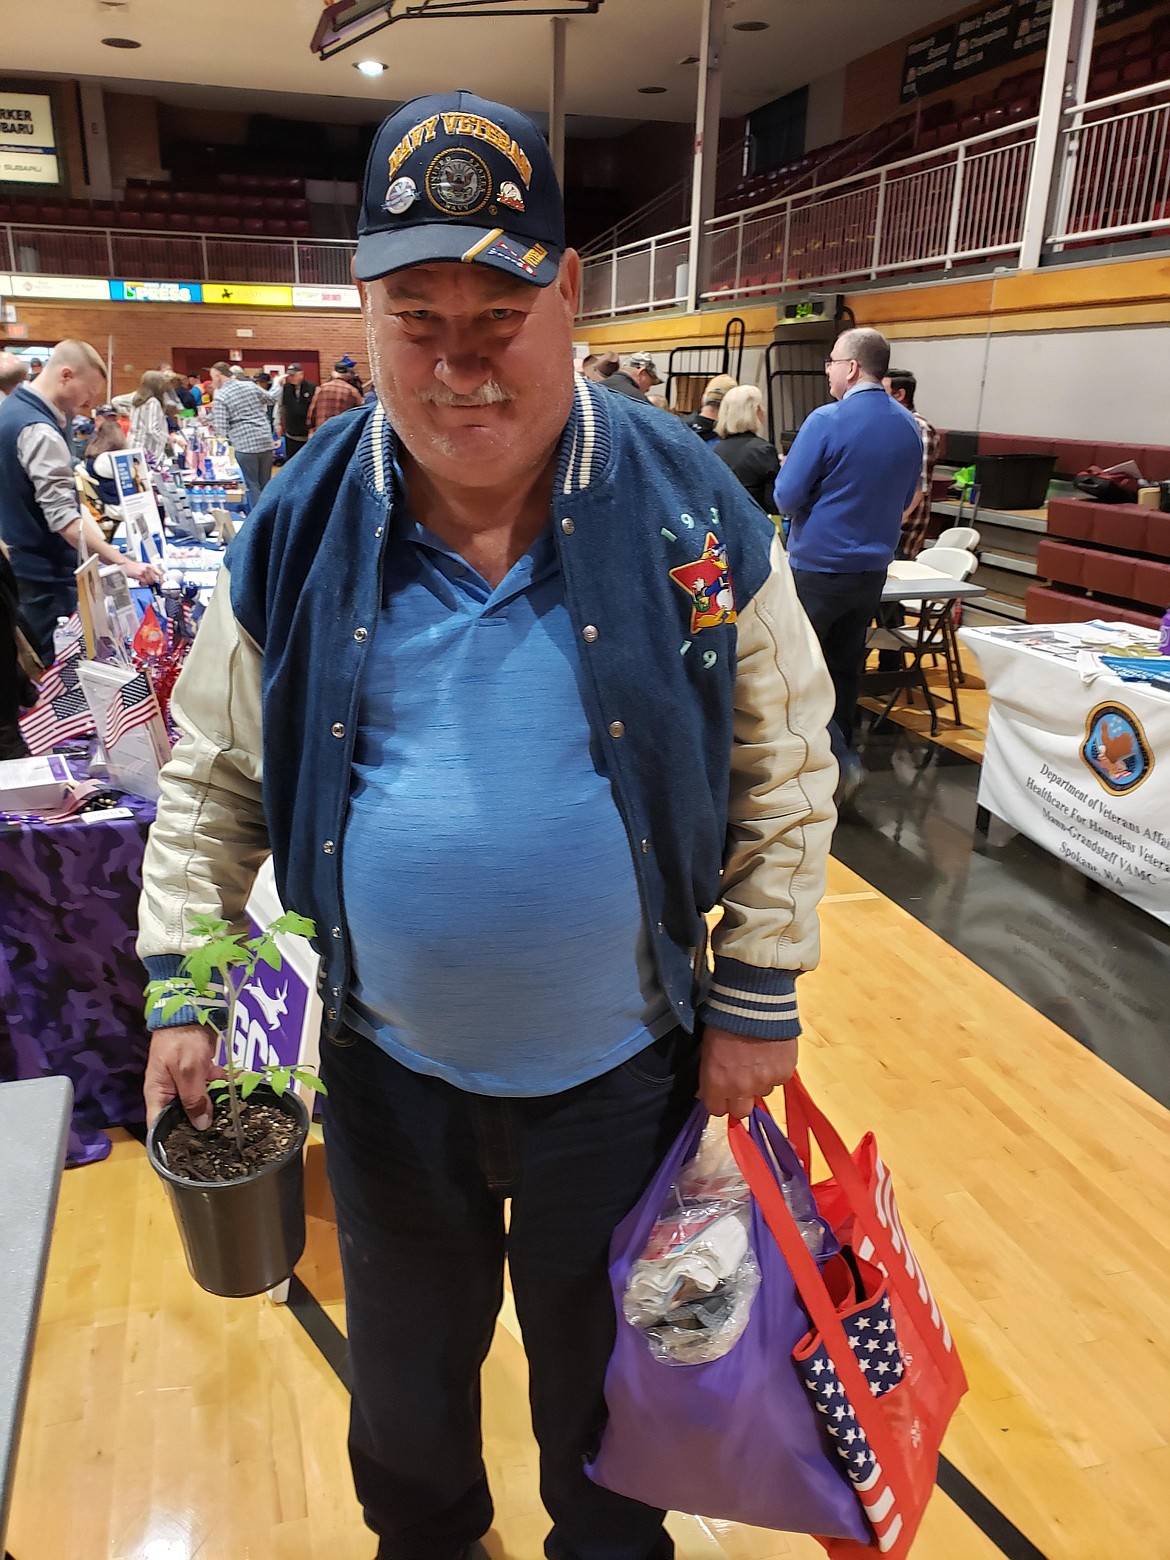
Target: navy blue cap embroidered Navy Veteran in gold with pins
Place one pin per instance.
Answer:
(453, 177)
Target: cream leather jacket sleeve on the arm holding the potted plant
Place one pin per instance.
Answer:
(210, 838)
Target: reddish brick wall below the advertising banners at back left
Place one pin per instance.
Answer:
(147, 335)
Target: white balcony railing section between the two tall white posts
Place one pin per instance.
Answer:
(935, 210)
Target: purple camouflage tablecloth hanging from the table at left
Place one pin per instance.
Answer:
(71, 985)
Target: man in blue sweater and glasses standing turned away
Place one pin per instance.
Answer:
(849, 478)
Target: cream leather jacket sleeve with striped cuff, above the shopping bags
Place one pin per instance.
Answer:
(781, 815)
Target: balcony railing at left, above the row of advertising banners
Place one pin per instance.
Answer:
(169, 257)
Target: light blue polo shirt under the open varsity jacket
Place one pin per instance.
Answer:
(487, 877)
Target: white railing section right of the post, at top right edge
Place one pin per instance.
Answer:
(1116, 168)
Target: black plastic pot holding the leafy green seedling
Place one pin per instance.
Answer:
(241, 1238)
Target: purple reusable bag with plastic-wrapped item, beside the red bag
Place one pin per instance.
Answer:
(736, 1438)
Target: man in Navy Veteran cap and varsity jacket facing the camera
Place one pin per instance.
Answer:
(509, 728)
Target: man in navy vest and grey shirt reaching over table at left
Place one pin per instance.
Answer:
(41, 519)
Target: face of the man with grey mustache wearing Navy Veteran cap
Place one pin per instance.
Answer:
(473, 366)
